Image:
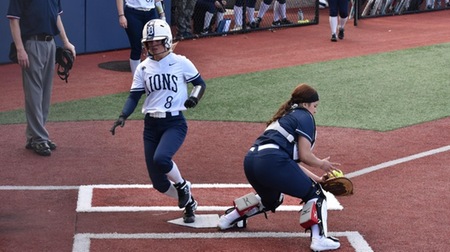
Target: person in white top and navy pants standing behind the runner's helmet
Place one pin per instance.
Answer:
(133, 15)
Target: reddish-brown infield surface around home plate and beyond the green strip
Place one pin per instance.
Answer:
(401, 206)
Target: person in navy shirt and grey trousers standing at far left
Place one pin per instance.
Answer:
(34, 23)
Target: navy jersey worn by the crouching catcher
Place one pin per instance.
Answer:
(298, 122)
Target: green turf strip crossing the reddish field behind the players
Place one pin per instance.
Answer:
(378, 92)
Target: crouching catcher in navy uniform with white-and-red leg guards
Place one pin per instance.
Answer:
(271, 167)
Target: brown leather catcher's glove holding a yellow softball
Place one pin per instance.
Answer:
(337, 184)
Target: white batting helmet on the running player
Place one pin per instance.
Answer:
(157, 29)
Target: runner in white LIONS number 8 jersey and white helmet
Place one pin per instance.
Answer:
(163, 77)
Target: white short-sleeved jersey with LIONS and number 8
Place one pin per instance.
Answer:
(165, 82)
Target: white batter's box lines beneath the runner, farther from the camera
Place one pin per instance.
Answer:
(85, 195)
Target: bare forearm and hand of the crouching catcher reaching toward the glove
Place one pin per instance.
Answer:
(307, 156)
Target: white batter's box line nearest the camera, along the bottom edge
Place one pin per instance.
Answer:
(82, 241)
